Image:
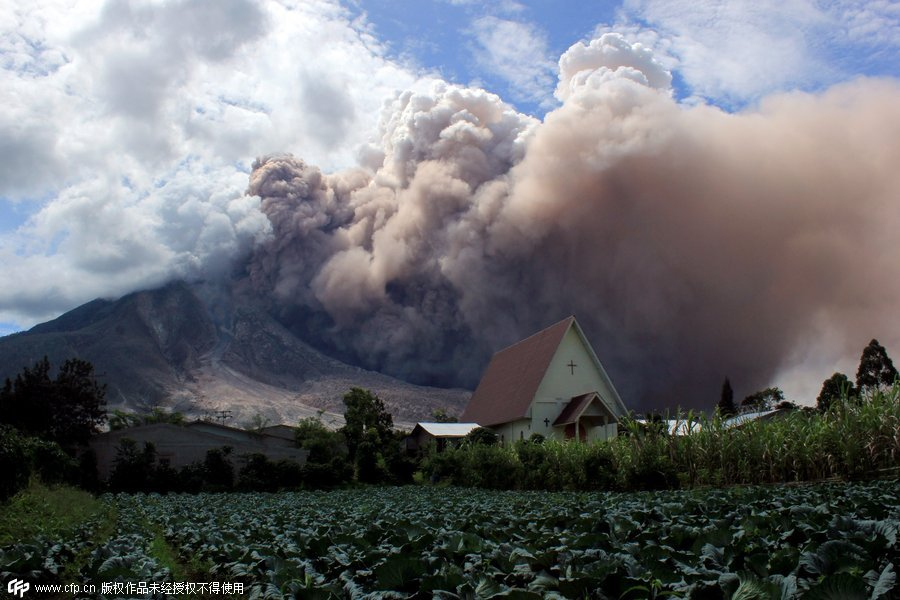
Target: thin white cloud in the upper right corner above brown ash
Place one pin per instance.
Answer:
(736, 51)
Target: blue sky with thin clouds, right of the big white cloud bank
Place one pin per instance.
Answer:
(725, 53)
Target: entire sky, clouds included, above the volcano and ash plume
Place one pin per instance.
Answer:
(129, 128)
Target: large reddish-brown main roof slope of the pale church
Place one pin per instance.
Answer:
(512, 378)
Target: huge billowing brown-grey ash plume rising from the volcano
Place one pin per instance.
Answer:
(690, 243)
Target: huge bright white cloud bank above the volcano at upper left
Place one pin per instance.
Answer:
(131, 128)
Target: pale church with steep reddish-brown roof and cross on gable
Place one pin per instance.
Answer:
(550, 383)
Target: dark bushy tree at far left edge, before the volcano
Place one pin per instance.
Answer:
(67, 409)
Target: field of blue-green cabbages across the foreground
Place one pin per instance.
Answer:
(824, 541)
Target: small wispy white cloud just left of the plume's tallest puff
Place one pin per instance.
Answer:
(517, 52)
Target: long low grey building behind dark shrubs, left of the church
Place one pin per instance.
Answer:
(181, 445)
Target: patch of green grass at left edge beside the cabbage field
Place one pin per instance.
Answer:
(39, 510)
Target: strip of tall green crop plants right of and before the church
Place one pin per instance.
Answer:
(852, 439)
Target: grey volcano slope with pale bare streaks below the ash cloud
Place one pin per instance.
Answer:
(200, 349)
